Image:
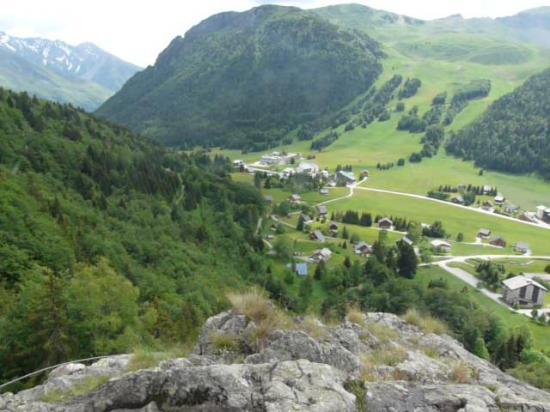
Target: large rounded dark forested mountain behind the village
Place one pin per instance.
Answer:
(245, 80)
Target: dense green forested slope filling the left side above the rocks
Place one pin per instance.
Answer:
(108, 241)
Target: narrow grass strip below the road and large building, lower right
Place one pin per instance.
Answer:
(541, 334)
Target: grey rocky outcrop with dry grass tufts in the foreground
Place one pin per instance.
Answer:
(380, 364)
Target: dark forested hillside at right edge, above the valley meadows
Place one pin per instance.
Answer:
(514, 133)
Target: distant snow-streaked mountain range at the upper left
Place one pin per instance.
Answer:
(84, 75)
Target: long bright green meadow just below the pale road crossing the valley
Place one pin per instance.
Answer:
(455, 220)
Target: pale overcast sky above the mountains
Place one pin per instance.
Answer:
(138, 30)
